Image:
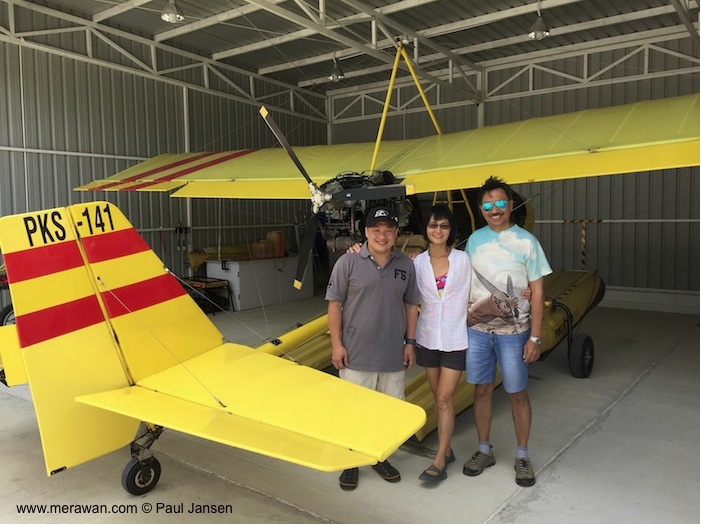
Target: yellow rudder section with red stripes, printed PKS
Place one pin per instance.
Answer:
(66, 345)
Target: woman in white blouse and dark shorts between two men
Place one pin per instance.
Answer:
(443, 275)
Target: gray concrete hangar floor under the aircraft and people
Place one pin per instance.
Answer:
(619, 447)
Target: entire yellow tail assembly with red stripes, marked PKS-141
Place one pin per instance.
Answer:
(108, 339)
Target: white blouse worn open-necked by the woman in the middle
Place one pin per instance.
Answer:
(443, 319)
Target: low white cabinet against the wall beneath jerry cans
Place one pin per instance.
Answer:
(261, 282)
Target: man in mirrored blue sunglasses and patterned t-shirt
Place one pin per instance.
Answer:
(503, 327)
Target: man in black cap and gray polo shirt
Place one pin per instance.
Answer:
(372, 303)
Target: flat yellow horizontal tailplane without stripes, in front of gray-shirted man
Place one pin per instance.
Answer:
(270, 406)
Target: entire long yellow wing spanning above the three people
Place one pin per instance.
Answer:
(644, 136)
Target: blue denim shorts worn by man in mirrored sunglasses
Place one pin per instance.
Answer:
(486, 350)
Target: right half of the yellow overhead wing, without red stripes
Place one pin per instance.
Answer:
(644, 136)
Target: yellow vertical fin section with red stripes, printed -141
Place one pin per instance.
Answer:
(156, 323)
